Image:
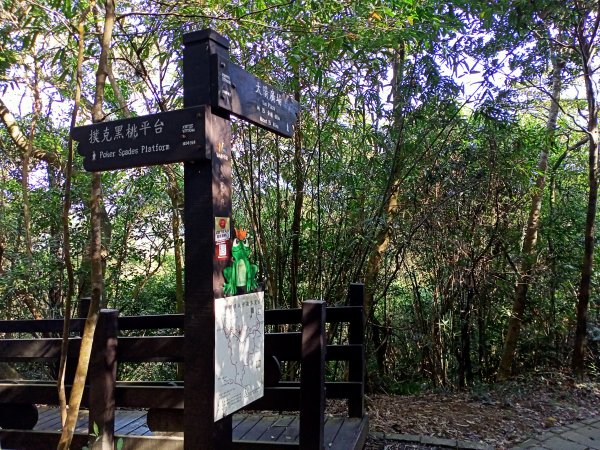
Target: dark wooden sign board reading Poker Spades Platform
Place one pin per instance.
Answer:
(163, 138)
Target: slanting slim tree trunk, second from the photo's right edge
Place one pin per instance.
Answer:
(531, 231)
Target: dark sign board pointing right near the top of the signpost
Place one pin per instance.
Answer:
(251, 99)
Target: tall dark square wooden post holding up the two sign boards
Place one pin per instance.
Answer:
(207, 186)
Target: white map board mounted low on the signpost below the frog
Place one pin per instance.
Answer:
(239, 352)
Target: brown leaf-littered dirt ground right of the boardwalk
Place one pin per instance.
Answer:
(499, 415)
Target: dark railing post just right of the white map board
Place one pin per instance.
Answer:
(312, 376)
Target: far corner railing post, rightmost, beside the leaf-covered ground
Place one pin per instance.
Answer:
(356, 336)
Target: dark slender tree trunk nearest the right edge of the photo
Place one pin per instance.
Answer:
(583, 296)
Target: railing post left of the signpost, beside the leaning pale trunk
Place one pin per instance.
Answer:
(102, 376)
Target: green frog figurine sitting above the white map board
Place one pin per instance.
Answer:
(242, 274)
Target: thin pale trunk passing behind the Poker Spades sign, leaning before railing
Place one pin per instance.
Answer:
(96, 247)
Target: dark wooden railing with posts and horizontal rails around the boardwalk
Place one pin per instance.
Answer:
(165, 400)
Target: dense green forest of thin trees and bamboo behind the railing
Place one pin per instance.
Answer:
(446, 156)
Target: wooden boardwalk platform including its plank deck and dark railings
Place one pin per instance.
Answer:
(301, 399)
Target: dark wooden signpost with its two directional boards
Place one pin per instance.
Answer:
(200, 136)
